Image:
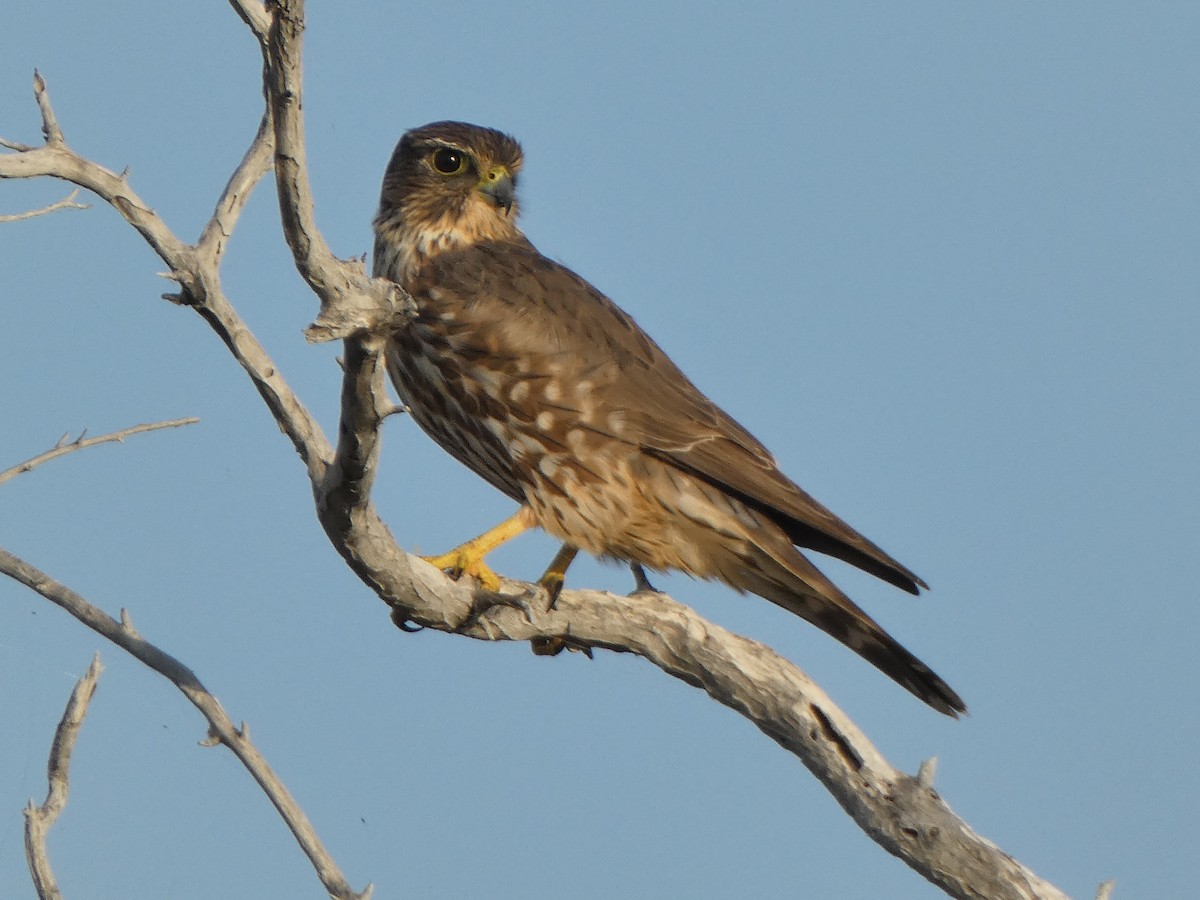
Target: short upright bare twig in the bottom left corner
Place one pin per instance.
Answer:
(39, 820)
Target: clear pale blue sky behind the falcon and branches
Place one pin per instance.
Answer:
(941, 257)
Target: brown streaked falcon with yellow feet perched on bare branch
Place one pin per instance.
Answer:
(545, 388)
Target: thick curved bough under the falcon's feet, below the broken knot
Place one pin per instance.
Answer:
(904, 814)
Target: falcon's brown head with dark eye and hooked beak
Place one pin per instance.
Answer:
(451, 184)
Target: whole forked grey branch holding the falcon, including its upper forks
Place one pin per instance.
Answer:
(902, 813)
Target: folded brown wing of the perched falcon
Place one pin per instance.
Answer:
(662, 411)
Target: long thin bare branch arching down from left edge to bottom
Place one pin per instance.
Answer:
(221, 728)
